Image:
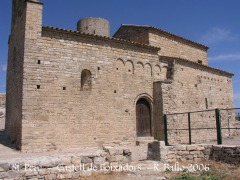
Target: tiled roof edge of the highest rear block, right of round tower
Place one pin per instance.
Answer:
(167, 33)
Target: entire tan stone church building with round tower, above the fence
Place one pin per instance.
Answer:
(83, 88)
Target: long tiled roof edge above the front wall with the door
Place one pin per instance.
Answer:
(50, 28)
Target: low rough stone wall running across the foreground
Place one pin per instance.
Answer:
(111, 159)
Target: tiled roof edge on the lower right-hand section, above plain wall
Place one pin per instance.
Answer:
(197, 64)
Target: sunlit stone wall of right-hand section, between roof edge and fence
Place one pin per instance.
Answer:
(193, 83)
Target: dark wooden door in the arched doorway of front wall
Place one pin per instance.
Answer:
(143, 115)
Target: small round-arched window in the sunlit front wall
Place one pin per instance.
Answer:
(86, 80)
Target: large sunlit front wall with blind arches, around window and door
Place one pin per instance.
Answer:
(62, 114)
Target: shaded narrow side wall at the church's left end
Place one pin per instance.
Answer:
(13, 125)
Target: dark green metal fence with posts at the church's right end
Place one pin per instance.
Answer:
(201, 126)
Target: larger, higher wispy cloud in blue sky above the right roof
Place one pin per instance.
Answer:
(215, 35)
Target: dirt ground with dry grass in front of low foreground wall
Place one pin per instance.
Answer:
(216, 171)
